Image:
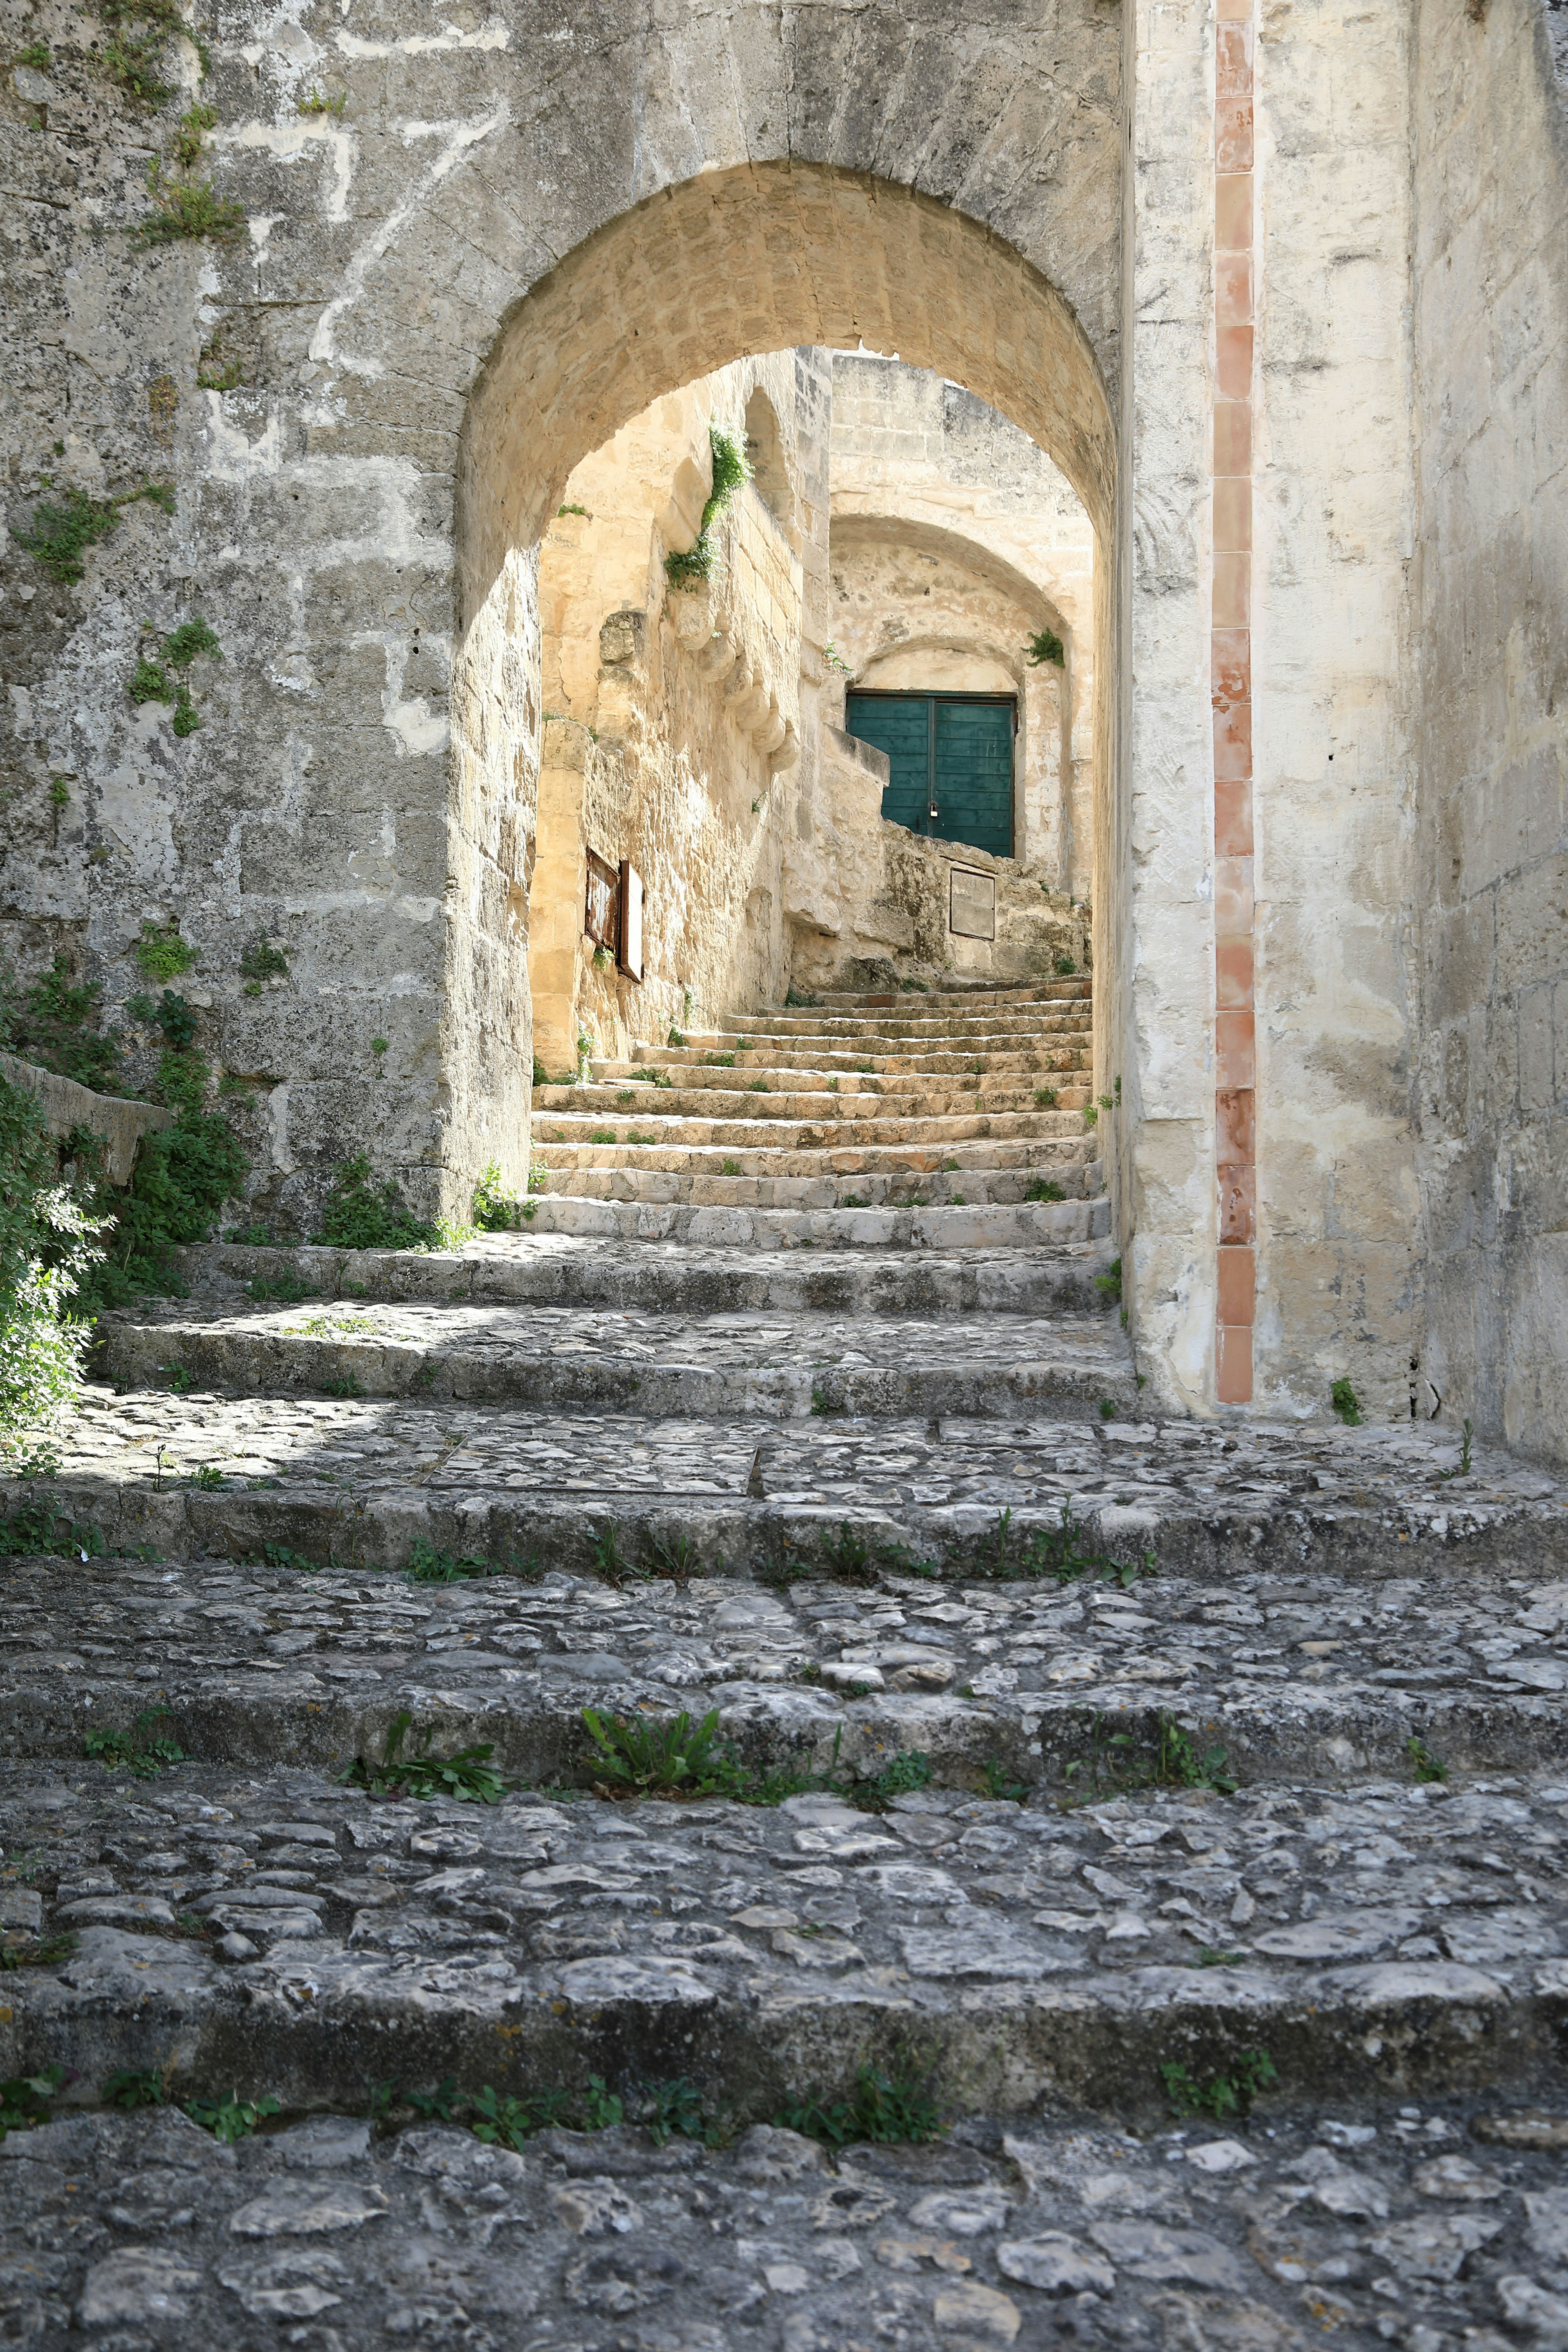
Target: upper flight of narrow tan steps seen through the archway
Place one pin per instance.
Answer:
(939, 1118)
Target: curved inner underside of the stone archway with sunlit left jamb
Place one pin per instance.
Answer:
(732, 262)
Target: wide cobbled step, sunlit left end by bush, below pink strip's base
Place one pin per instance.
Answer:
(366, 1478)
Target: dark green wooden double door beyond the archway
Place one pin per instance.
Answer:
(951, 763)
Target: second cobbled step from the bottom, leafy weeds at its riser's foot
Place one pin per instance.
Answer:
(1329, 1673)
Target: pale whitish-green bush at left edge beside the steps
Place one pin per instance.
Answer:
(48, 1248)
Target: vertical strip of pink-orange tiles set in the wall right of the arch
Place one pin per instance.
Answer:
(1233, 700)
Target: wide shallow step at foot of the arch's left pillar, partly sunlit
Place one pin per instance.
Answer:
(655, 1269)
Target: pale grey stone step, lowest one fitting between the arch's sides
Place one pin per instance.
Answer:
(984, 1227)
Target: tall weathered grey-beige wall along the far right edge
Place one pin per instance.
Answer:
(1492, 1081)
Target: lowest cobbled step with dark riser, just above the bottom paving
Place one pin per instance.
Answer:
(1374, 1939)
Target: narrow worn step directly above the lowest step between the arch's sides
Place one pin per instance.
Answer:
(657, 1175)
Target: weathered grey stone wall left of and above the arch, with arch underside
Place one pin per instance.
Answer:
(366, 432)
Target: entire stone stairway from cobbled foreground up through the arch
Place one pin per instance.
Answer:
(1083, 1775)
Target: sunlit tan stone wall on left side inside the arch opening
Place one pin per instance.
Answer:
(674, 719)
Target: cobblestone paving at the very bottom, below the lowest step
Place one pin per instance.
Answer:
(1430, 2229)
